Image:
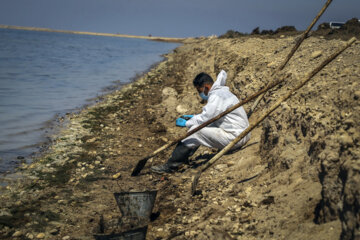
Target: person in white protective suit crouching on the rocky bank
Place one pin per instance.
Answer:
(216, 135)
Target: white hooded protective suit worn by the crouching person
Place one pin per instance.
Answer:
(220, 133)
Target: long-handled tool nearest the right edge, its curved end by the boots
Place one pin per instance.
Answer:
(261, 118)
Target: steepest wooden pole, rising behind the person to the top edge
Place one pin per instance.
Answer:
(291, 53)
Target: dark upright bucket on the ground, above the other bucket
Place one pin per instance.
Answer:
(136, 205)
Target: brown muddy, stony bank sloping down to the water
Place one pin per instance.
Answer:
(297, 178)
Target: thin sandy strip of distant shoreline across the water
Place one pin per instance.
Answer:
(164, 39)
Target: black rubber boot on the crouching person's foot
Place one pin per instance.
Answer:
(179, 156)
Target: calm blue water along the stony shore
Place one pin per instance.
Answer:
(45, 74)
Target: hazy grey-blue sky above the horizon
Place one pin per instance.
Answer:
(172, 18)
